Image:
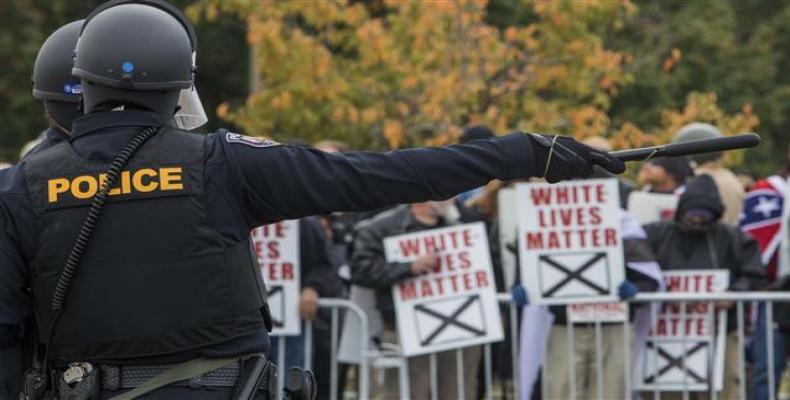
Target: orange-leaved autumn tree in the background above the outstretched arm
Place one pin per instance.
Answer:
(417, 72)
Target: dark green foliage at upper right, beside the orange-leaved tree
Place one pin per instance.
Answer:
(736, 51)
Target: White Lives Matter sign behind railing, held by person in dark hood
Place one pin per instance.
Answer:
(685, 352)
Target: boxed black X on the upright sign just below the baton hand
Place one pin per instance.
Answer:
(574, 274)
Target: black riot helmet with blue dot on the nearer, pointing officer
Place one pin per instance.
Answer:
(136, 54)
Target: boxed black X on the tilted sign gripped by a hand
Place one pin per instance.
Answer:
(450, 320)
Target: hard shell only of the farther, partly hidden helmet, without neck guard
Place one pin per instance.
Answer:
(52, 79)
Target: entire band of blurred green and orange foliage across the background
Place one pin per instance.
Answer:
(386, 74)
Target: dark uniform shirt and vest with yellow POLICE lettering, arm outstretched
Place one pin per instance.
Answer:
(168, 275)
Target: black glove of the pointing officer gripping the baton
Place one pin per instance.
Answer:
(562, 158)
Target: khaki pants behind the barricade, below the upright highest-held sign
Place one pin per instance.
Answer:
(558, 368)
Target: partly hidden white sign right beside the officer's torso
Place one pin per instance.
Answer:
(277, 248)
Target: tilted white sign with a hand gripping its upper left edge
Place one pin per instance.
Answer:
(454, 305)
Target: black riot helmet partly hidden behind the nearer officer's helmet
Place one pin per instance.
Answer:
(53, 83)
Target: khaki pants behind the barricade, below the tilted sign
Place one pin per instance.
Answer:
(420, 375)
